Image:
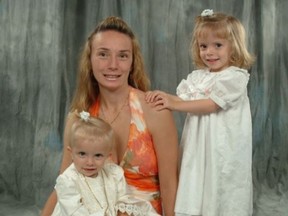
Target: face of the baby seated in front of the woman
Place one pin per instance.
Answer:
(89, 155)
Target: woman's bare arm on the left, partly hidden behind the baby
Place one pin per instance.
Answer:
(66, 161)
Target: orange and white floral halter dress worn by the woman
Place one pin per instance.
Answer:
(139, 161)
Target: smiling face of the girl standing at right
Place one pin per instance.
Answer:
(214, 51)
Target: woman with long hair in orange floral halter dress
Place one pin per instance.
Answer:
(111, 85)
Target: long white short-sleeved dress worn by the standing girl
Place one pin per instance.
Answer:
(215, 176)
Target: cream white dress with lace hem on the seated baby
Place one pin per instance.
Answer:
(103, 195)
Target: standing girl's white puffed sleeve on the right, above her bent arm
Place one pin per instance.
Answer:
(230, 87)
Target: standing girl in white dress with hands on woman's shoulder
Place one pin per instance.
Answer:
(215, 174)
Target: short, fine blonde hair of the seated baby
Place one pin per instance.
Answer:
(94, 128)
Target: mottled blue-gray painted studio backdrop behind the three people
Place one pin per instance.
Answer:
(40, 41)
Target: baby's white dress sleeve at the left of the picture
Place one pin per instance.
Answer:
(69, 199)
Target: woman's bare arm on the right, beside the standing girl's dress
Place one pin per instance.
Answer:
(162, 127)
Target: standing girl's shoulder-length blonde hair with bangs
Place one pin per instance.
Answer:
(225, 27)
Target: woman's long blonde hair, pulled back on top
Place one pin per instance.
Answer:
(87, 89)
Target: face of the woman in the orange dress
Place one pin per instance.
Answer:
(111, 58)
